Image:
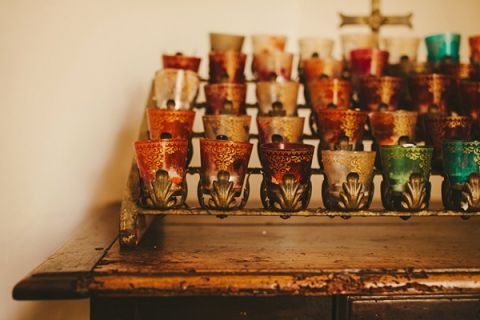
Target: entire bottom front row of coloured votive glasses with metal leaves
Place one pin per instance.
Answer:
(286, 169)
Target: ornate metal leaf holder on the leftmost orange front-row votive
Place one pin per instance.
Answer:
(160, 194)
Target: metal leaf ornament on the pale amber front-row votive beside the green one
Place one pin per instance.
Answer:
(352, 196)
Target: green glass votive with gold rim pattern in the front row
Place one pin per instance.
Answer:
(406, 173)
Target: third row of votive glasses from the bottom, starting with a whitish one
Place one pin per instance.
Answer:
(181, 88)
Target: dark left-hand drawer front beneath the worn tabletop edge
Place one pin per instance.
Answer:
(212, 308)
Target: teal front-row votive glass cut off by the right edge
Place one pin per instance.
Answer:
(461, 175)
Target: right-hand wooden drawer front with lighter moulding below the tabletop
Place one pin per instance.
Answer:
(410, 308)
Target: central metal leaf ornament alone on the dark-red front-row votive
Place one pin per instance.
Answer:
(287, 196)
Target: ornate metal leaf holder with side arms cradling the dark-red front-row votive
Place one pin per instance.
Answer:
(288, 196)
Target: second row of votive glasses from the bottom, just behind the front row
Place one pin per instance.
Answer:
(329, 125)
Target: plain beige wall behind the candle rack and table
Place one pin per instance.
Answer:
(74, 76)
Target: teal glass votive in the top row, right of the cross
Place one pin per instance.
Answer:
(442, 46)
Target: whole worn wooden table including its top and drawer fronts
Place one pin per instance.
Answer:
(269, 268)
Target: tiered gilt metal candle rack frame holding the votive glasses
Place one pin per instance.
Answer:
(134, 220)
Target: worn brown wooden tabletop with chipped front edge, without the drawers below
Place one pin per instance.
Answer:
(256, 256)
